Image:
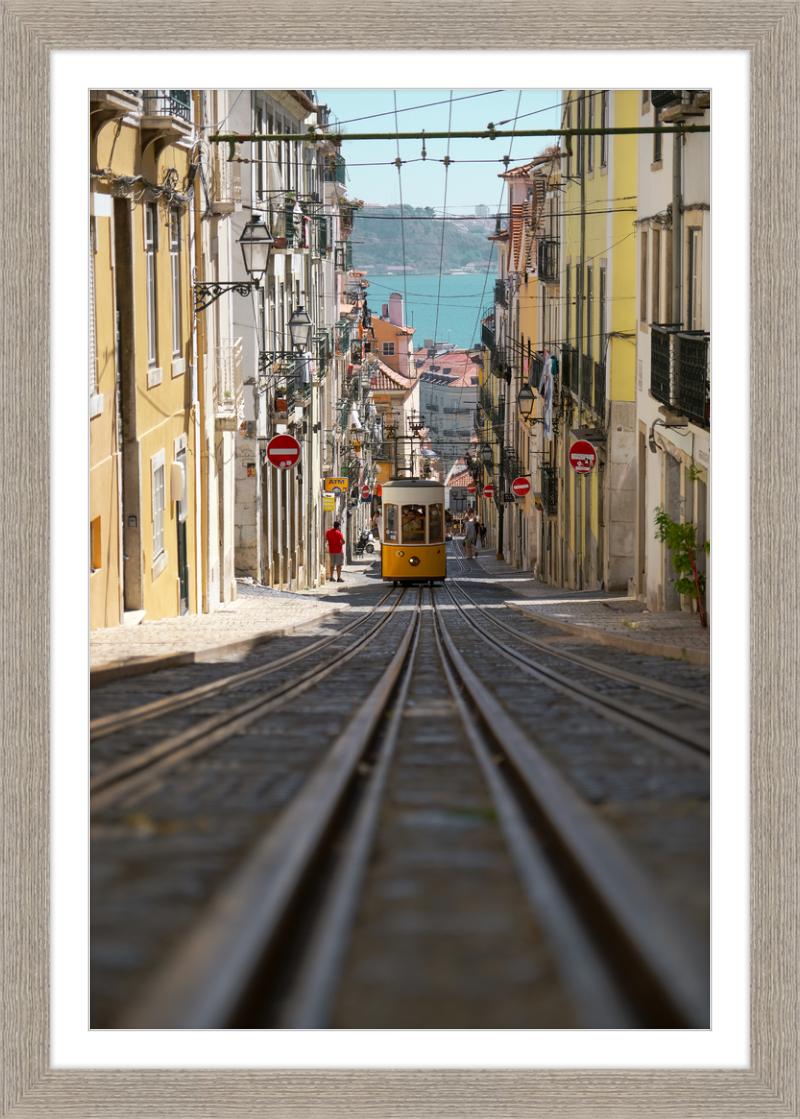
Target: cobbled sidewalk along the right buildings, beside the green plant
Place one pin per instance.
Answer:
(598, 616)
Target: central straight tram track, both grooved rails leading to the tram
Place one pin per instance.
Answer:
(624, 957)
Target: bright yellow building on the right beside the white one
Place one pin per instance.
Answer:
(597, 516)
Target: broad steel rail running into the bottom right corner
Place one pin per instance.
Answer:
(671, 970)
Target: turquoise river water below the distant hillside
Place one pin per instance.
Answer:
(454, 309)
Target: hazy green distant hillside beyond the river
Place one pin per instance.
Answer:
(379, 234)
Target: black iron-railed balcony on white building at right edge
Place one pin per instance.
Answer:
(680, 371)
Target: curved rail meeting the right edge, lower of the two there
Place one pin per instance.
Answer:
(683, 744)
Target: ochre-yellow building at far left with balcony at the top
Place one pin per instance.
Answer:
(144, 532)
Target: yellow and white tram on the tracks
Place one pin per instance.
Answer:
(412, 534)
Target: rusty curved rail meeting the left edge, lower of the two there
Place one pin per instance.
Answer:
(133, 775)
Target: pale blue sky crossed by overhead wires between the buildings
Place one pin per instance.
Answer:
(473, 178)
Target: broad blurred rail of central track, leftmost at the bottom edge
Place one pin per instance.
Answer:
(206, 982)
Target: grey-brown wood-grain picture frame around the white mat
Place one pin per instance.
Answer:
(31, 1088)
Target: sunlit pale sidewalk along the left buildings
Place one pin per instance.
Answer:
(258, 615)
